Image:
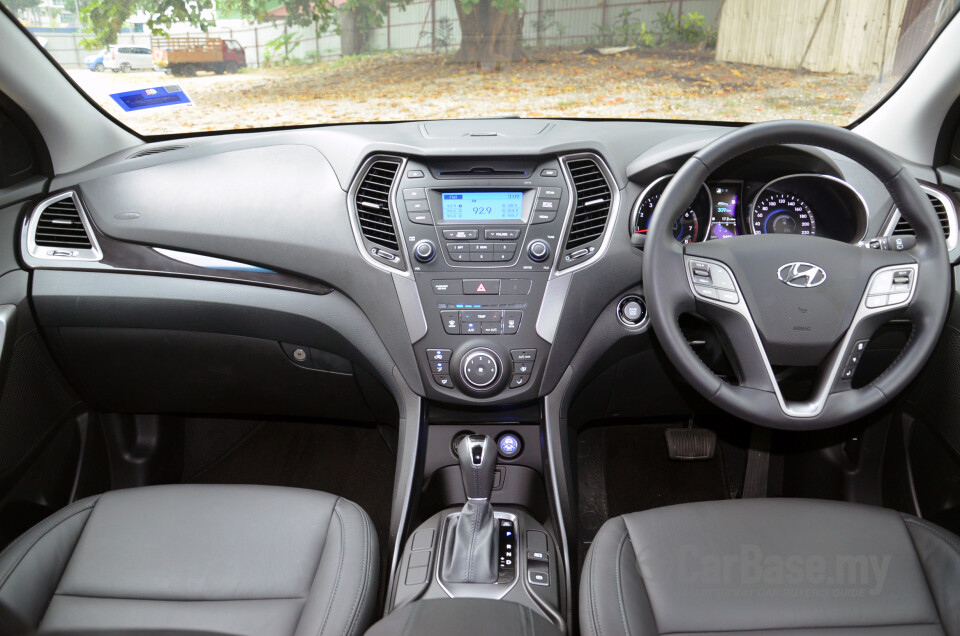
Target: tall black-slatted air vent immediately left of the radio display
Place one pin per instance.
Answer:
(372, 202)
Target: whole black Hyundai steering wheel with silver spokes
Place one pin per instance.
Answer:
(796, 300)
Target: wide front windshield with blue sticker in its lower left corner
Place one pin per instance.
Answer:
(174, 67)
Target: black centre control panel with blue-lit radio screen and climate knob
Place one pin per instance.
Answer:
(483, 239)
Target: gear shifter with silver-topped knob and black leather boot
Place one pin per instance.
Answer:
(470, 553)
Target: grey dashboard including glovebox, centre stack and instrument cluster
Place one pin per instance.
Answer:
(474, 263)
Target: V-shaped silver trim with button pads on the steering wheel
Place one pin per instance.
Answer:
(813, 407)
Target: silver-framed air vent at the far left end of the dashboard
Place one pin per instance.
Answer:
(58, 229)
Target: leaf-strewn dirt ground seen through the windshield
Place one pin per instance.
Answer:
(633, 84)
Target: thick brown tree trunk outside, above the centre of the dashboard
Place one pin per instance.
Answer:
(489, 34)
